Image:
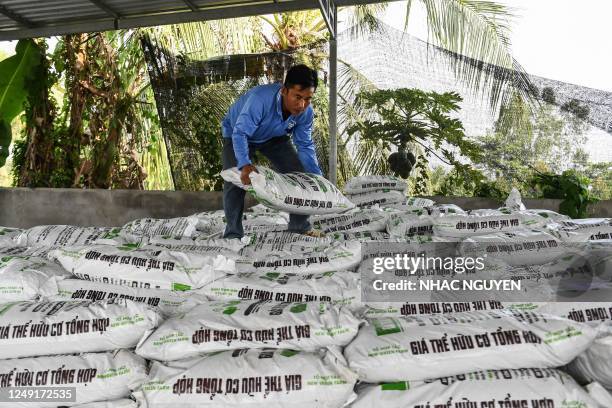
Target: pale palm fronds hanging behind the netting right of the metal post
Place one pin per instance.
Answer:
(474, 35)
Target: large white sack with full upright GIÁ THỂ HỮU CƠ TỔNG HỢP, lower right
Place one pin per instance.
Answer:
(417, 348)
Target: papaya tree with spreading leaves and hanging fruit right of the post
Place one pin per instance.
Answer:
(412, 118)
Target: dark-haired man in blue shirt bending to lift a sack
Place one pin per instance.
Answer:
(262, 120)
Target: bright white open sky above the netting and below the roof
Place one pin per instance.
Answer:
(569, 41)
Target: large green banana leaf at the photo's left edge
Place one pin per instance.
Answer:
(15, 74)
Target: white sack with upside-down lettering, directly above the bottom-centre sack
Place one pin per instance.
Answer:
(233, 324)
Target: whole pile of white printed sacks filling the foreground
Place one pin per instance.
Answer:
(166, 313)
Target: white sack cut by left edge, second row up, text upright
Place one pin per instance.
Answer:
(30, 329)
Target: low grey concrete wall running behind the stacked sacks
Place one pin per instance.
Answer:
(27, 207)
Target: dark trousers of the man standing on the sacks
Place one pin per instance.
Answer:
(284, 158)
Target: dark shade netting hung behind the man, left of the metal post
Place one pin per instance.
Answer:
(192, 97)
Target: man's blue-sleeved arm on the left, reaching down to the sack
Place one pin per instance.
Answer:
(249, 118)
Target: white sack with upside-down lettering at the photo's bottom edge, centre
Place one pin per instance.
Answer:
(254, 378)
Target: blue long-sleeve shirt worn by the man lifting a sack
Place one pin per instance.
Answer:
(257, 116)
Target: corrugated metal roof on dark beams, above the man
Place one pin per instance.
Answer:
(36, 18)
